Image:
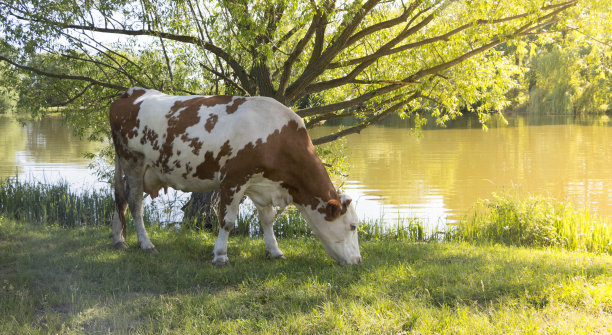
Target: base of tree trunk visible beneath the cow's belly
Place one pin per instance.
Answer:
(200, 212)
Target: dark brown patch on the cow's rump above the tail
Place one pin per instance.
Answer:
(124, 122)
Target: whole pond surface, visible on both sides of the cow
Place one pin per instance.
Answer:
(394, 173)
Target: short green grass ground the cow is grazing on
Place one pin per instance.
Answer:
(70, 281)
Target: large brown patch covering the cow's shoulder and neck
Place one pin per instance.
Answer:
(288, 156)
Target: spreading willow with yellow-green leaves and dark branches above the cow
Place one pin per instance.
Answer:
(334, 59)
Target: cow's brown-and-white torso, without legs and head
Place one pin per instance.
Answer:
(186, 141)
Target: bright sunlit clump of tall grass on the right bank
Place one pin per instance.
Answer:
(535, 221)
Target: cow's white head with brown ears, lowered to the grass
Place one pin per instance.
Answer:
(335, 223)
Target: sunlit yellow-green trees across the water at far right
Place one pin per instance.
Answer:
(569, 73)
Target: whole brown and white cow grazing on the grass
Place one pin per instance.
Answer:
(251, 146)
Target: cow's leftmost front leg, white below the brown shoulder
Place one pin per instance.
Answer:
(228, 208)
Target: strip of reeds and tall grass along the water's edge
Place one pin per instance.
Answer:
(516, 220)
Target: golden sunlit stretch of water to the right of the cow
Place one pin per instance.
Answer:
(439, 175)
